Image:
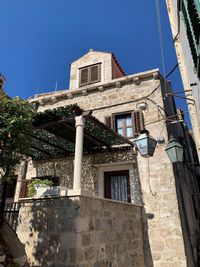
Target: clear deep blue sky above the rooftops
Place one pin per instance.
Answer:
(40, 38)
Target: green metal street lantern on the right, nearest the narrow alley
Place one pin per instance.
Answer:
(174, 150)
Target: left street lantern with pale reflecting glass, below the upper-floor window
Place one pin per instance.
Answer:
(146, 144)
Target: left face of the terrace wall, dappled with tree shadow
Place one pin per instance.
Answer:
(48, 232)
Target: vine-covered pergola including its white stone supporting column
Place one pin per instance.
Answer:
(69, 130)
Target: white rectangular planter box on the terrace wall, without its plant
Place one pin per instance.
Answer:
(46, 190)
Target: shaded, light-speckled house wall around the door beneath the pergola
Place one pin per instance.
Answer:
(63, 168)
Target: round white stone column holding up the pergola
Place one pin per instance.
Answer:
(80, 122)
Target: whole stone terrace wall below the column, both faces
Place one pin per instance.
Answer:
(81, 232)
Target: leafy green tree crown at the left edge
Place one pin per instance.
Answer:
(16, 119)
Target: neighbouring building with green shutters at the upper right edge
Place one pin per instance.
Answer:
(185, 20)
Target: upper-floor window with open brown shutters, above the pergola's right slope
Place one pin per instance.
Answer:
(127, 124)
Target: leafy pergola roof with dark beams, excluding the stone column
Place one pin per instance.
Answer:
(58, 122)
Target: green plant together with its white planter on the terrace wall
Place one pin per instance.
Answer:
(41, 188)
